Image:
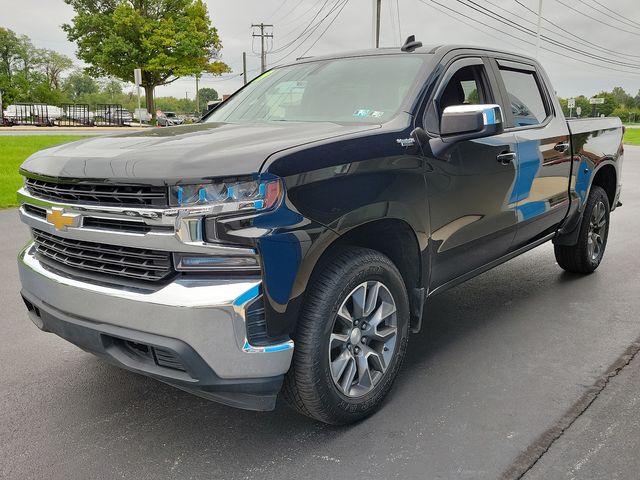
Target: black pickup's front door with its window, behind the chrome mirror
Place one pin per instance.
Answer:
(469, 186)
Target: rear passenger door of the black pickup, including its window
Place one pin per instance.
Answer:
(543, 163)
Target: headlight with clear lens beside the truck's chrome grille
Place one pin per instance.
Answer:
(235, 194)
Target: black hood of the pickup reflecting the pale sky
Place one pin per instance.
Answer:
(193, 152)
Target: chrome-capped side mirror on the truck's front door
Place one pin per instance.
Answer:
(466, 122)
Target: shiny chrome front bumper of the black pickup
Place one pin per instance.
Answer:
(206, 313)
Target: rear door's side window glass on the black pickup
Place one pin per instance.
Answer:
(526, 99)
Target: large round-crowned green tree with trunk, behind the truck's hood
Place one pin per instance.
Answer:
(166, 39)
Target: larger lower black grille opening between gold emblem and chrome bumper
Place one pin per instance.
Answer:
(111, 260)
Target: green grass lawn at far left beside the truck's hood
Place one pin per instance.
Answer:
(13, 151)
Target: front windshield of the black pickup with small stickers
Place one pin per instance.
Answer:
(364, 89)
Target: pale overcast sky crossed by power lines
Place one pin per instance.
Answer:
(602, 32)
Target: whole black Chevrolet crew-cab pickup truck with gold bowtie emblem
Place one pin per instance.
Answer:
(290, 242)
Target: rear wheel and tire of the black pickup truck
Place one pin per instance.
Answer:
(587, 253)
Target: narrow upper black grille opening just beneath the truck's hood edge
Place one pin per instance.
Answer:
(99, 194)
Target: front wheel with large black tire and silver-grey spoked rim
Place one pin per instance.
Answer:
(324, 340)
